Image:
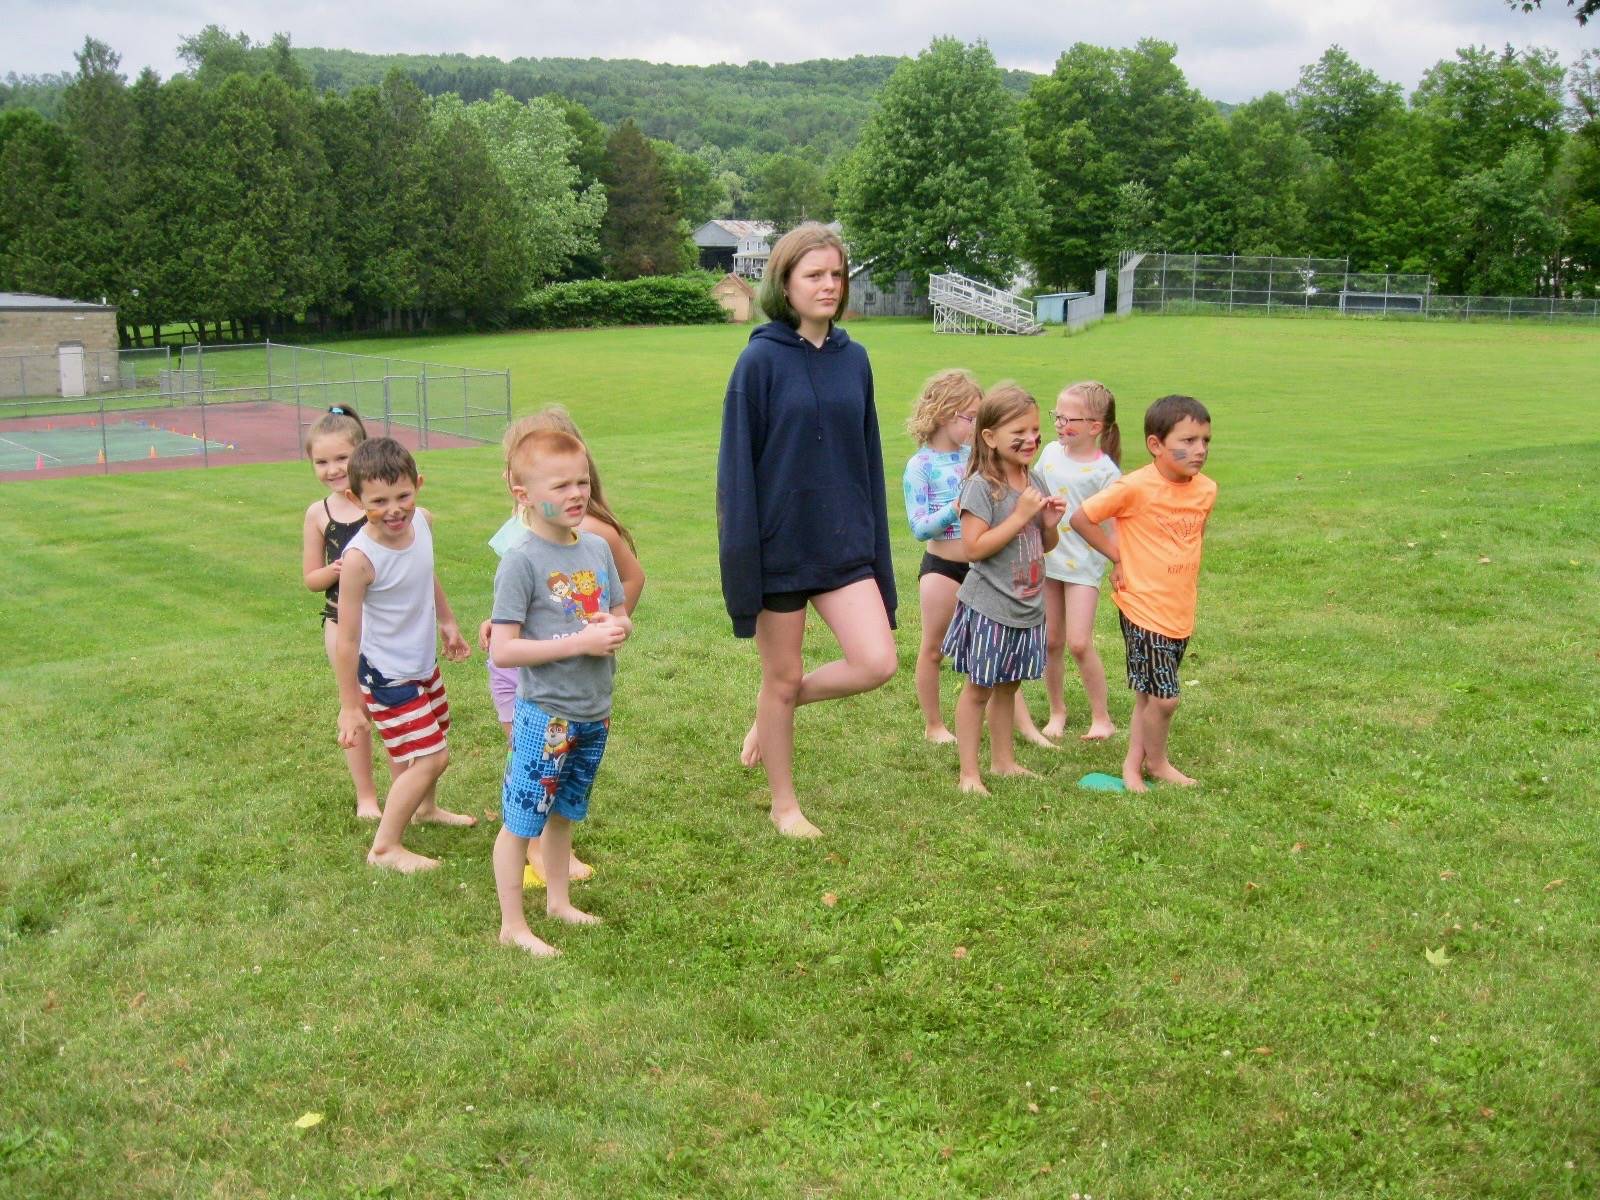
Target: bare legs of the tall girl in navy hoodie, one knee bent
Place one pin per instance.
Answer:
(857, 618)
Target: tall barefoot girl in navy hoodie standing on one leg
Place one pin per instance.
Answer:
(801, 506)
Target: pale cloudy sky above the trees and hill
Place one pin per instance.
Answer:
(1228, 49)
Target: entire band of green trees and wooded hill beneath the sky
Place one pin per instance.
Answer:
(268, 186)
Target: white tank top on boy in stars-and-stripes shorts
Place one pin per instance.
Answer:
(398, 615)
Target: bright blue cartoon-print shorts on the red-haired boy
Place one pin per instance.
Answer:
(553, 767)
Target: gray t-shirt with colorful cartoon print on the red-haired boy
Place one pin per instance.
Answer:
(556, 591)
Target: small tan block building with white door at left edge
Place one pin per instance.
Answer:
(54, 346)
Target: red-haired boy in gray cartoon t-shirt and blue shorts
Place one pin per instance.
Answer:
(559, 617)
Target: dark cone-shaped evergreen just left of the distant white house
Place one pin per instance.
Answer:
(644, 233)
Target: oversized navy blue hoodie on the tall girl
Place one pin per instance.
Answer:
(801, 500)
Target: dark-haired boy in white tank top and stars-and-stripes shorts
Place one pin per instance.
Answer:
(385, 658)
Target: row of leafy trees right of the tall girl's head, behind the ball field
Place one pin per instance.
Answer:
(1487, 177)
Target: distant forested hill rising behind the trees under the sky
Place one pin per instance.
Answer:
(758, 108)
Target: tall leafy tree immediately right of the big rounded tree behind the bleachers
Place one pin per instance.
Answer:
(1102, 119)
